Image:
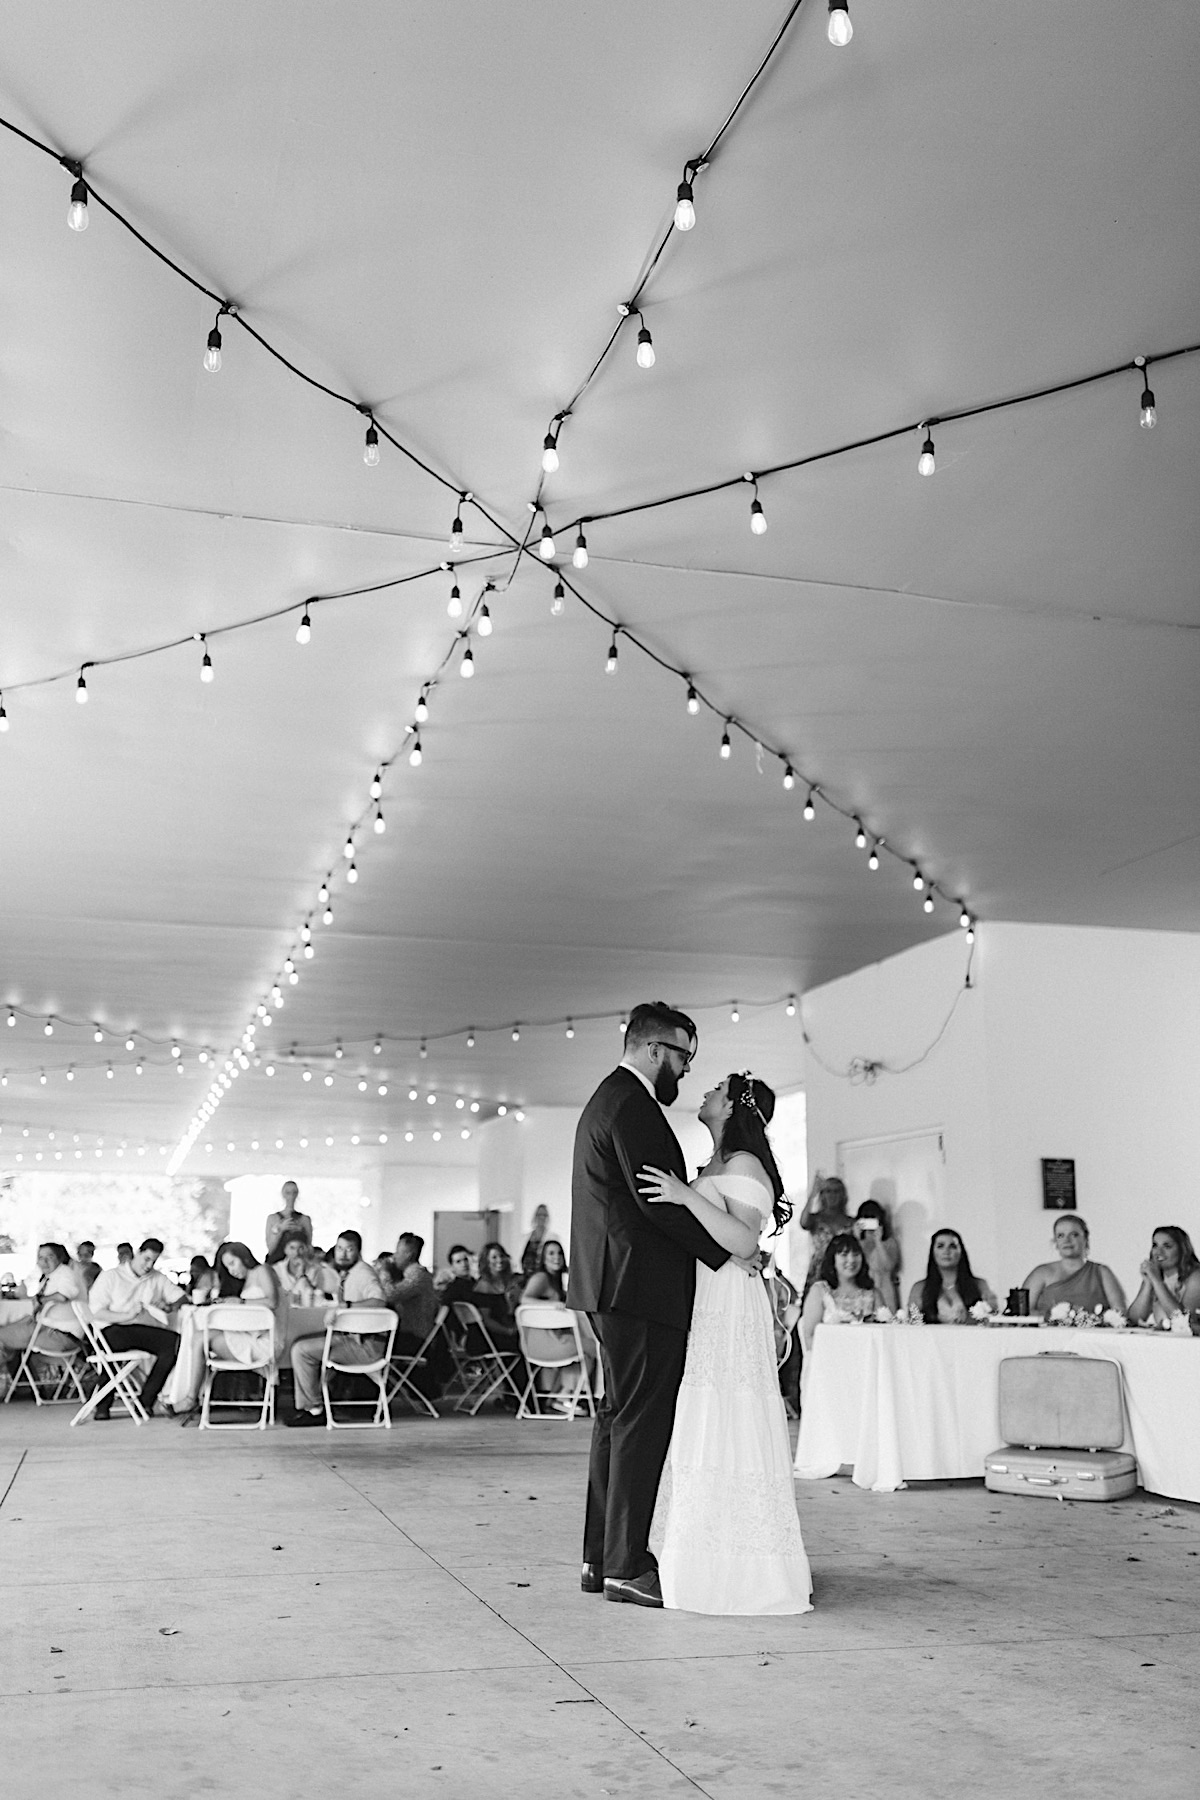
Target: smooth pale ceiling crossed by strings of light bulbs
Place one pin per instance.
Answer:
(436, 210)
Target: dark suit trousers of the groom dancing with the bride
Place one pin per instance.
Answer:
(631, 1437)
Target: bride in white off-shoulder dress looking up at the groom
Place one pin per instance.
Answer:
(726, 1525)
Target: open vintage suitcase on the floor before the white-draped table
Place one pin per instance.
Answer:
(1064, 1421)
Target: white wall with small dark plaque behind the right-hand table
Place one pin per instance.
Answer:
(1073, 1043)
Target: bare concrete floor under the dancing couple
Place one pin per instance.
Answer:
(363, 1615)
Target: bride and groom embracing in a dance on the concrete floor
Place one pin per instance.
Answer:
(690, 1446)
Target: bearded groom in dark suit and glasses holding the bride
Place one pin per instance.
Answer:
(634, 1273)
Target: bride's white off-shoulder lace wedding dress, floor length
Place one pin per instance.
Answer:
(726, 1525)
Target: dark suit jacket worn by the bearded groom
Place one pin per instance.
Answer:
(629, 1255)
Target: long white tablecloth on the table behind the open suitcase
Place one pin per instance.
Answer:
(908, 1403)
